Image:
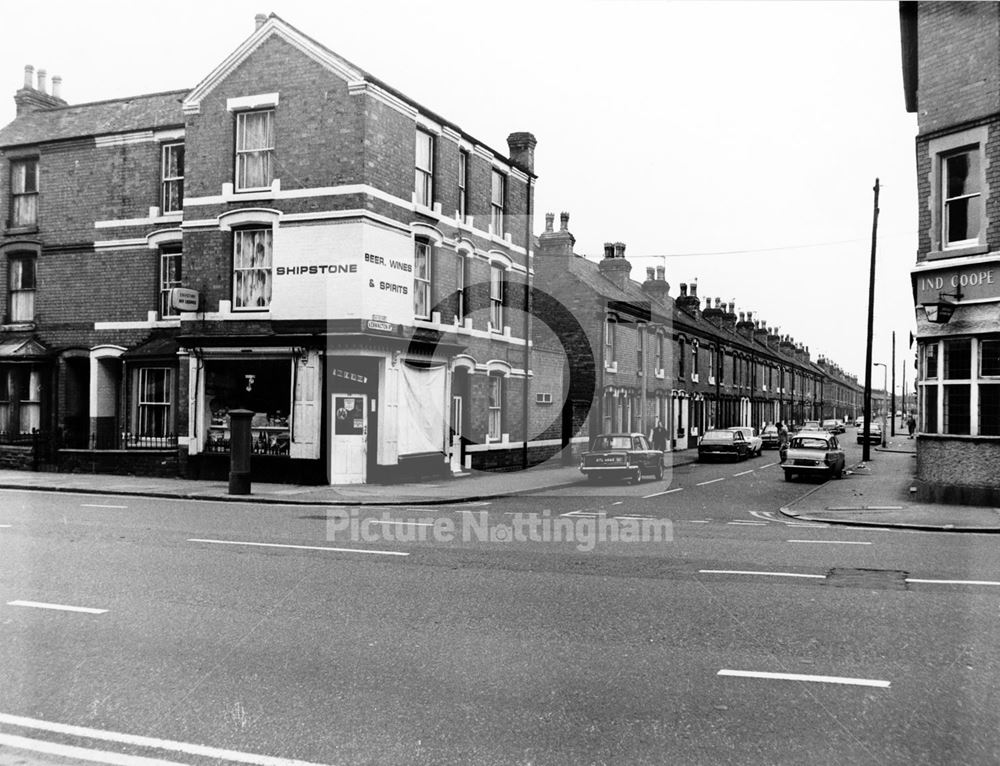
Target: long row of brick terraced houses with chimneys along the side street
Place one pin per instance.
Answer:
(643, 356)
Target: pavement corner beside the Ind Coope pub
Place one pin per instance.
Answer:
(878, 494)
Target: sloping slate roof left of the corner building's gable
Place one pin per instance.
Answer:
(123, 115)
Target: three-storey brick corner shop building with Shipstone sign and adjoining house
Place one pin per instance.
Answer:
(292, 236)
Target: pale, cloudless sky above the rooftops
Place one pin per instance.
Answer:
(735, 143)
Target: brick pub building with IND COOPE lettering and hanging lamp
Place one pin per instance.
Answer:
(951, 77)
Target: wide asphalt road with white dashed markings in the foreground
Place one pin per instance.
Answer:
(267, 634)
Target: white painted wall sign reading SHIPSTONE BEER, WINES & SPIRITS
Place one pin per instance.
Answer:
(343, 271)
